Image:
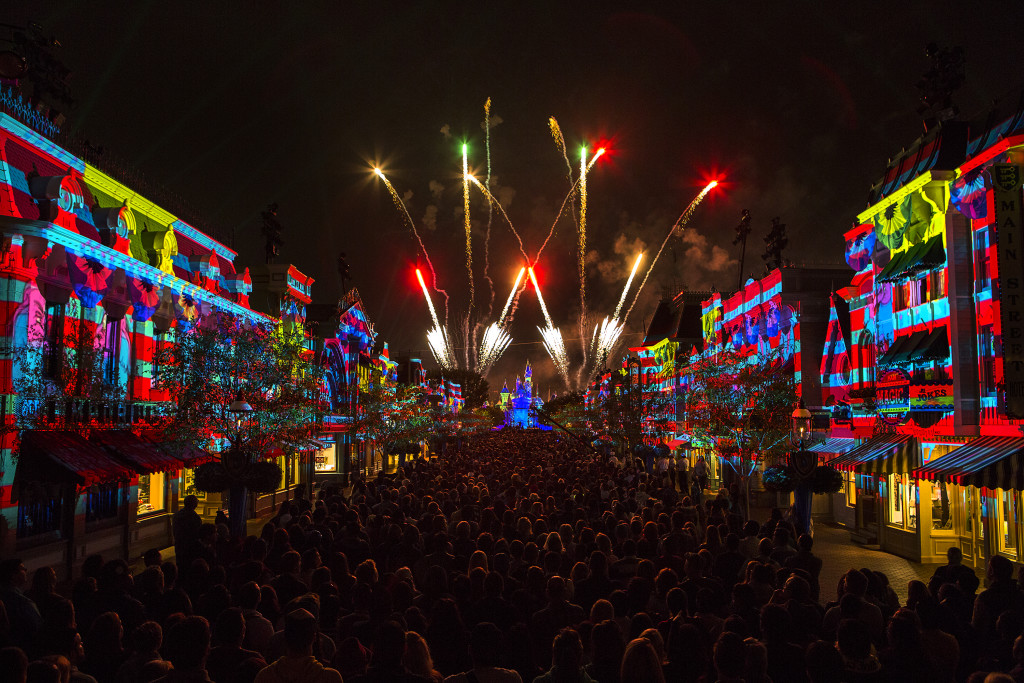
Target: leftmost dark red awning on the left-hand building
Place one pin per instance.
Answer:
(69, 457)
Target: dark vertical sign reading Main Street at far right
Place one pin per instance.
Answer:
(1007, 181)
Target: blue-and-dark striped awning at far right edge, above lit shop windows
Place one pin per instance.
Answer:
(993, 462)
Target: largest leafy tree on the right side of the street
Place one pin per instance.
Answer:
(743, 406)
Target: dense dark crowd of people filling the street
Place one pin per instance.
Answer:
(524, 557)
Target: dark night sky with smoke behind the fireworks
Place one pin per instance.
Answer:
(797, 107)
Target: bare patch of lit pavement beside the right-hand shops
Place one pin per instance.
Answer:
(839, 554)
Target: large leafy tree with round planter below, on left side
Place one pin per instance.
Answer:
(221, 361)
